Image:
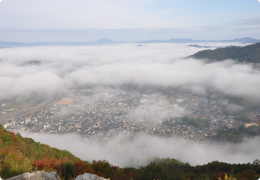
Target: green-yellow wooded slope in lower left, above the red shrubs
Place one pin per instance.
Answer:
(19, 154)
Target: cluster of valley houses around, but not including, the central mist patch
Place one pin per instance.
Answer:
(105, 114)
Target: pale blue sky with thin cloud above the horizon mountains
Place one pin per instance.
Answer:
(127, 20)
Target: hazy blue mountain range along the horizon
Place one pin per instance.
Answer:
(109, 41)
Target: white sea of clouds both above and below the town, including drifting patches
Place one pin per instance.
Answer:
(161, 65)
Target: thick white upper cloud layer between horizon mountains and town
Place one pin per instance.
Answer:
(152, 64)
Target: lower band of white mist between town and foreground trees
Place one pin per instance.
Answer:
(122, 152)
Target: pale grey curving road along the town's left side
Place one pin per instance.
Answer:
(44, 103)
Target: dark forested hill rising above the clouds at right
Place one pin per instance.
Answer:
(250, 53)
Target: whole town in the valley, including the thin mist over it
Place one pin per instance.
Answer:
(105, 112)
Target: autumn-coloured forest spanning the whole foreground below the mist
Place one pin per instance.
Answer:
(19, 155)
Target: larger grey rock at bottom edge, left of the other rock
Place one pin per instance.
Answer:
(39, 175)
